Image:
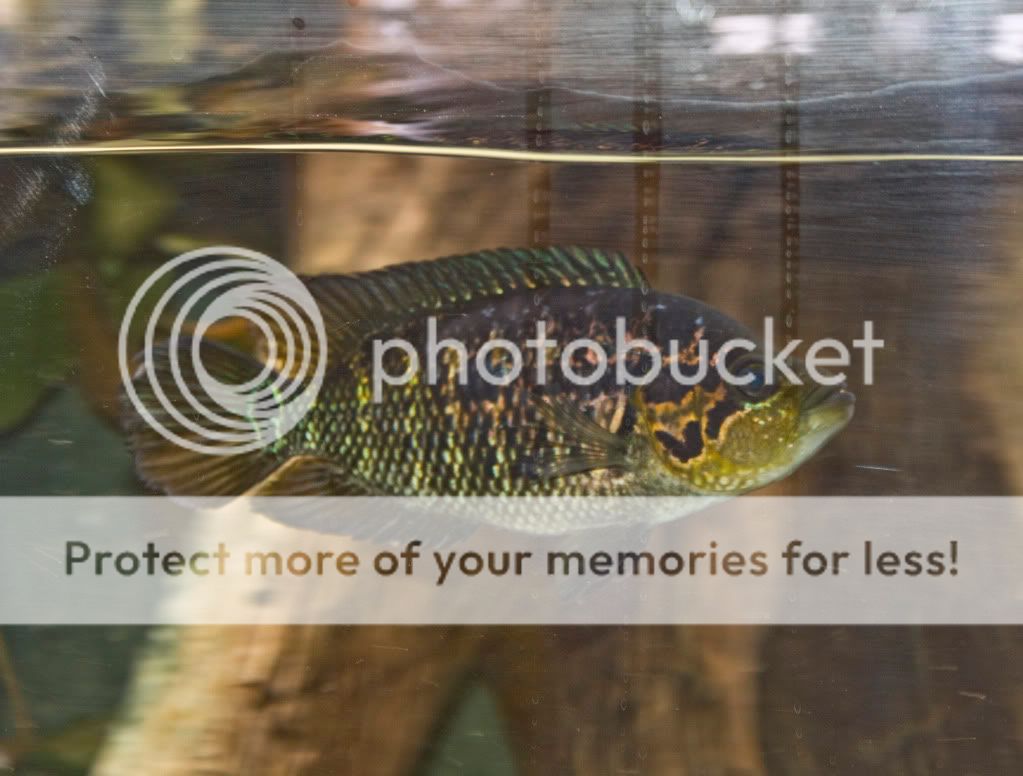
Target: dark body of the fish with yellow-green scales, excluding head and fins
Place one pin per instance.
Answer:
(470, 437)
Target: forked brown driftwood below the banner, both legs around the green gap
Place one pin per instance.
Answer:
(369, 701)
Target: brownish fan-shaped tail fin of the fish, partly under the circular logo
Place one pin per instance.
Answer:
(190, 437)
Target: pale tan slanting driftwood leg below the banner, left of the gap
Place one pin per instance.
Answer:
(288, 701)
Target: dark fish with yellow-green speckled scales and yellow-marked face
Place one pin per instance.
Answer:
(488, 425)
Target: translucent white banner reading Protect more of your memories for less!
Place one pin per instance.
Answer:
(753, 561)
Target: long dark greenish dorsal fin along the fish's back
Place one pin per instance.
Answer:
(354, 306)
